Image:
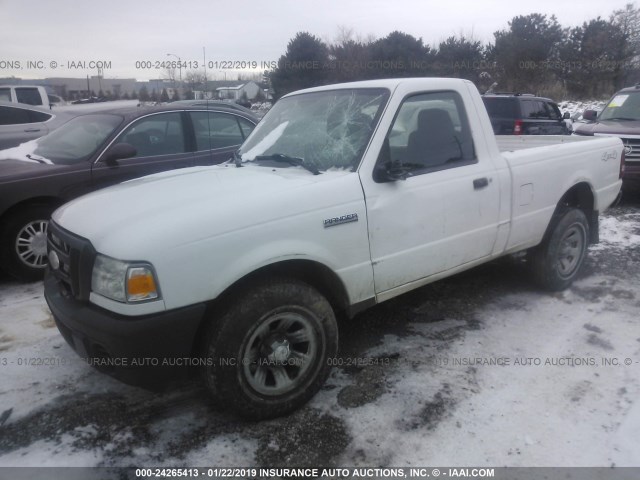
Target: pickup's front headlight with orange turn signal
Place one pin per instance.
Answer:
(123, 281)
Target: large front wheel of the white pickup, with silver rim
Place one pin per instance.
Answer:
(270, 352)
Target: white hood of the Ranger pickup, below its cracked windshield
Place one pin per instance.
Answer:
(193, 204)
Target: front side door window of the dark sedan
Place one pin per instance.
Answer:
(159, 134)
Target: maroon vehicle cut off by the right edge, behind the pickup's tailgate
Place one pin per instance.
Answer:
(620, 118)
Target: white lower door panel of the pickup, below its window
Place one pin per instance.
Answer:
(430, 223)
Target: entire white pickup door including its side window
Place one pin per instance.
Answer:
(446, 212)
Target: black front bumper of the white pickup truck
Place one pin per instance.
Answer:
(145, 350)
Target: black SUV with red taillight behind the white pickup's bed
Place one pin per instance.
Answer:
(524, 114)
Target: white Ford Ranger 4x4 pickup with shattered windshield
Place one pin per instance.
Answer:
(344, 196)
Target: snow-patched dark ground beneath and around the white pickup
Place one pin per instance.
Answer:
(480, 370)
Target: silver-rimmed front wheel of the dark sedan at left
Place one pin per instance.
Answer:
(23, 239)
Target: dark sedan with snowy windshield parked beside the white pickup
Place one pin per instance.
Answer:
(96, 150)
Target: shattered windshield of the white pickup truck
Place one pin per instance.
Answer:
(326, 130)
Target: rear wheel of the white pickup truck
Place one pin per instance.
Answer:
(557, 261)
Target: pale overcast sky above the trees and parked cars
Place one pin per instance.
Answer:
(72, 34)
